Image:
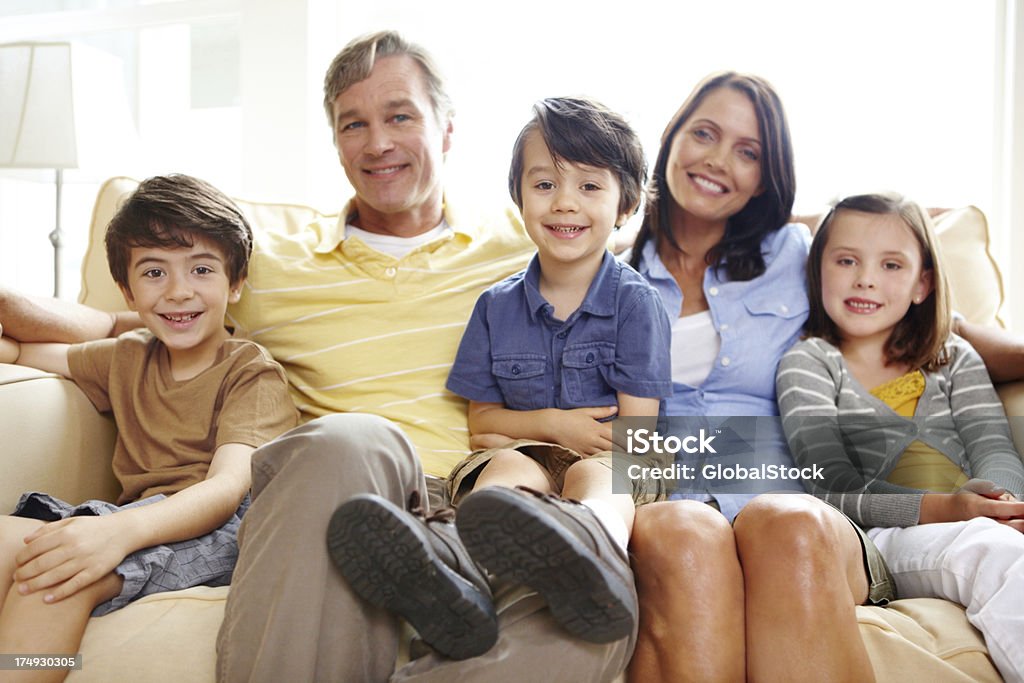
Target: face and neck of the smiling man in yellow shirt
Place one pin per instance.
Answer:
(393, 149)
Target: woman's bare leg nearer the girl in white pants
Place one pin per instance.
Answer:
(804, 575)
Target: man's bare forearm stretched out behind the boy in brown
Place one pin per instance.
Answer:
(45, 320)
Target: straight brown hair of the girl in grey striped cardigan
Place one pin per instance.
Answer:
(919, 339)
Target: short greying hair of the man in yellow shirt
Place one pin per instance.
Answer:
(357, 60)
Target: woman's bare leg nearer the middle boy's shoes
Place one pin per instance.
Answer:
(692, 595)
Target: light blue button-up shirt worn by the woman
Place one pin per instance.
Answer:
(757, 321)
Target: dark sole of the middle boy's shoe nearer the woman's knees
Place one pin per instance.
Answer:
(514, 539)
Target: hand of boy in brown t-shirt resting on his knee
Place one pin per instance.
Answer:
(69, 556)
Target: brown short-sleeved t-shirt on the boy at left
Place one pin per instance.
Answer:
(169, 431)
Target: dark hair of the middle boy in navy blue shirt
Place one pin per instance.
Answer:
(583, 132)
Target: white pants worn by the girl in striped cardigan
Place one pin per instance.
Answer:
(977, 564)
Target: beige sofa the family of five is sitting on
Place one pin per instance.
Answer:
(54, 441)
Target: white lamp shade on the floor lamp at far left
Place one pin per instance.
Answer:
(37, 107)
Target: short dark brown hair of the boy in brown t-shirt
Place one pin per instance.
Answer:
(168, 212)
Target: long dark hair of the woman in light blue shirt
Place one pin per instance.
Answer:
(740, 251)
